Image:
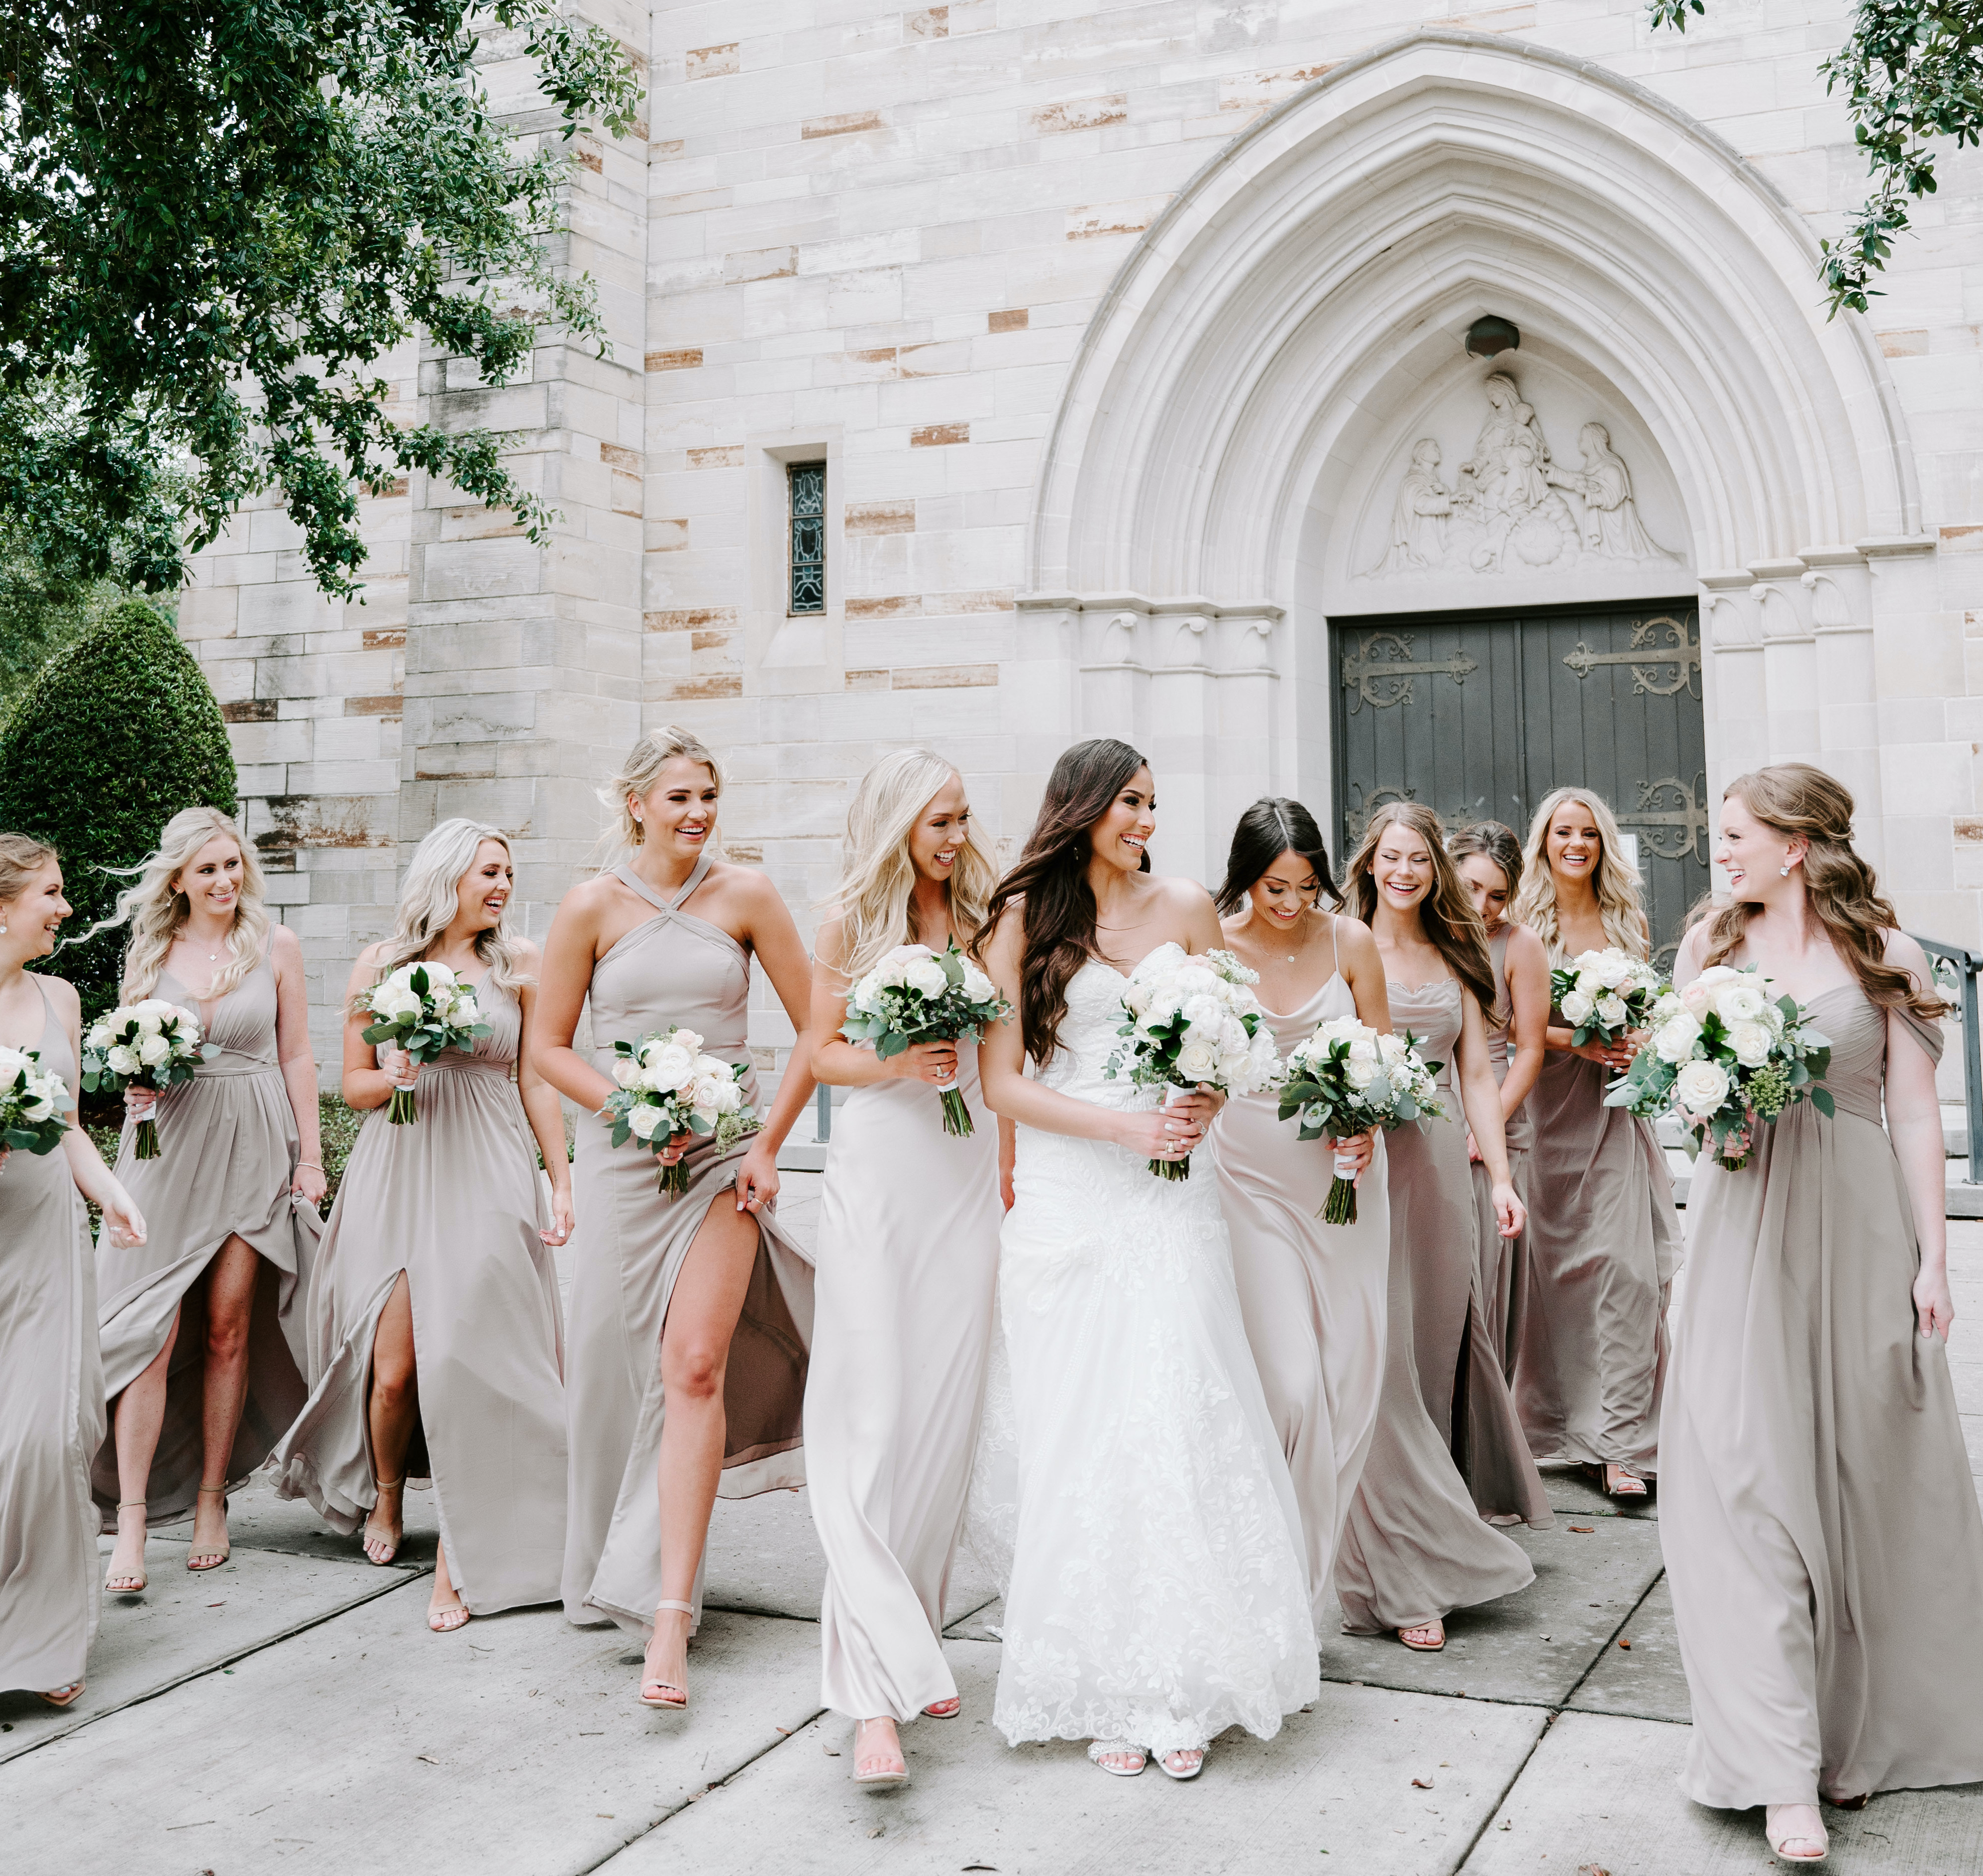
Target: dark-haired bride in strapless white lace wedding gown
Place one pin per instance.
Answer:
(1157, 1587)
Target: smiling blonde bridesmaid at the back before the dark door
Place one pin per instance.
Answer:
(1603, 1234)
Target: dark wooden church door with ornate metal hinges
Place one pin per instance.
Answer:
(1482, 715)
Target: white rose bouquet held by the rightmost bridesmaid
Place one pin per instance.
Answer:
(1726, 1056)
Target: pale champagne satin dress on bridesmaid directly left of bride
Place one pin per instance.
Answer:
(909, 1225)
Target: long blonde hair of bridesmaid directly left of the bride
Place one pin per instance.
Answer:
(877, 878)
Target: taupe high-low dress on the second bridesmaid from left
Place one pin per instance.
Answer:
(227, 1157)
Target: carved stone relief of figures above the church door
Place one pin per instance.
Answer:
(1512, 507)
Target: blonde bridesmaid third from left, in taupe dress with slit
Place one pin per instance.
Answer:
(435, 1336)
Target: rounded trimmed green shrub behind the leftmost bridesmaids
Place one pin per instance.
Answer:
(110, 739)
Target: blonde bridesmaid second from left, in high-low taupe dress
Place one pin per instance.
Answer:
(203, 1336)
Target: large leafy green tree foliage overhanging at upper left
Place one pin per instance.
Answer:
(219, 215)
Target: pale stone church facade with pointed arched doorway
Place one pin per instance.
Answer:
(1334, 400)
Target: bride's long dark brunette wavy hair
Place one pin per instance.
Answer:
(1052, 883)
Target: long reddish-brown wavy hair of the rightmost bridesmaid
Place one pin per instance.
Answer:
(1798, 800)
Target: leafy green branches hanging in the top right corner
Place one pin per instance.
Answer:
(1913, 70)
